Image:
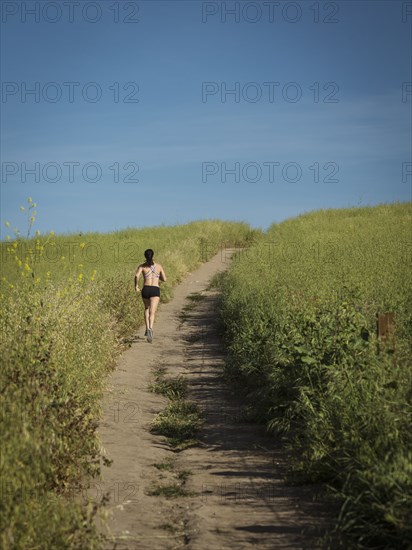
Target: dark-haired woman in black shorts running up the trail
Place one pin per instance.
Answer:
(152, 275)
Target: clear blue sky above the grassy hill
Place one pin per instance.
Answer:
(344, 140)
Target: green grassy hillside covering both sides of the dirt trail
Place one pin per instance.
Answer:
(299, 314)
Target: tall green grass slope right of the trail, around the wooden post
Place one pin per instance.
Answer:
(299, 309)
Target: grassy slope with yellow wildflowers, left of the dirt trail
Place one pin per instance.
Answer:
(67, 305)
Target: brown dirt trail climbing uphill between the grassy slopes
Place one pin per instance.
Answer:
(237, 497)
